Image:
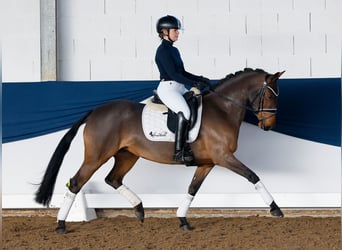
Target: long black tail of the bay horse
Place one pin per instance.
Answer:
(45, 191)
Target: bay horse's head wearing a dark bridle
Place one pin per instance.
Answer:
(264, 103)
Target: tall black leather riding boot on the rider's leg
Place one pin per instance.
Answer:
(180, 140)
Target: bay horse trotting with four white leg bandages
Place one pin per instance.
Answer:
(115, 130)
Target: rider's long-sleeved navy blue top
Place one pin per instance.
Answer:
(171, 66)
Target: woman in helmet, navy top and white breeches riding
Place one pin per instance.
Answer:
(171, 88)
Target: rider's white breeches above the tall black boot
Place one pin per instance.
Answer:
(171, 94)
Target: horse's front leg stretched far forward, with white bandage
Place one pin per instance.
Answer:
(238, 167)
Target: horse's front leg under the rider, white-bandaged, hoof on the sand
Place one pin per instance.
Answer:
(197, 180)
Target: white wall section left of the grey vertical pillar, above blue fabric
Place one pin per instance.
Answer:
(20, 40)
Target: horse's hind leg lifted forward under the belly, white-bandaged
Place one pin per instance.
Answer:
(124, 161)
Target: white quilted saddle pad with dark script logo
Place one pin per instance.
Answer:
(154, 123)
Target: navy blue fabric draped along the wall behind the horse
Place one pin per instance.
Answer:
(307, 108)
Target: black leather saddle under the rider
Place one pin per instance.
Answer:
(192, 102)
